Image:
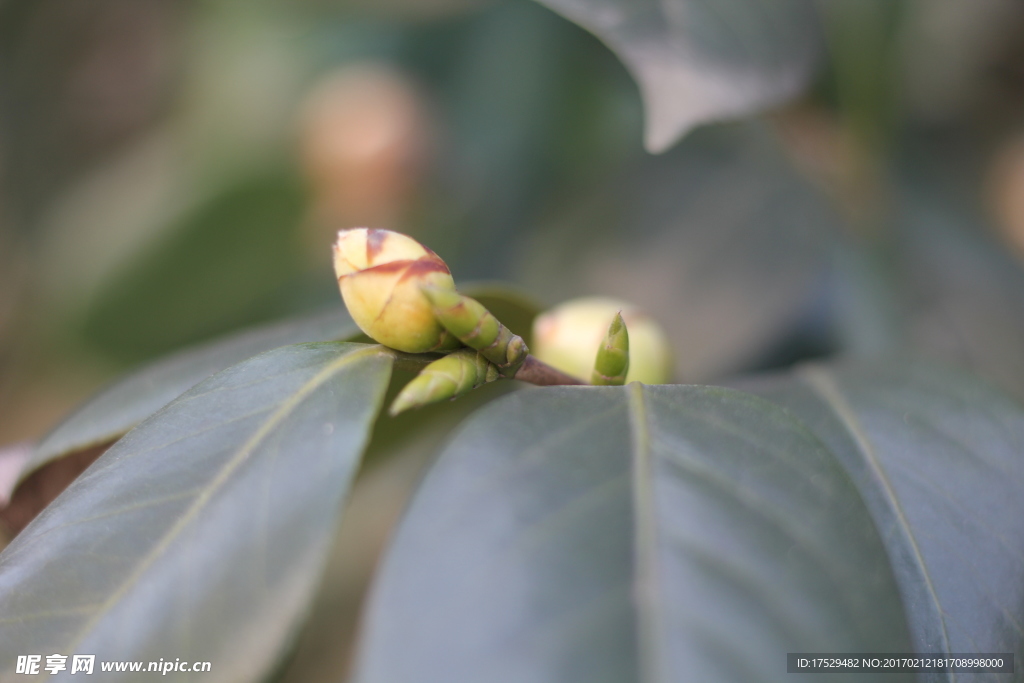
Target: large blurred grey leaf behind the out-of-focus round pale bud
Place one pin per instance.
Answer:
(720, 239)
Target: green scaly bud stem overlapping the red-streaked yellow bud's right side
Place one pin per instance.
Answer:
(476, 327)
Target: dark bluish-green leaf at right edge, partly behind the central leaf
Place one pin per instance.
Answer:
(940, 459)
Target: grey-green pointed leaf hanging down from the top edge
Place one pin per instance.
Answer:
(698, 61)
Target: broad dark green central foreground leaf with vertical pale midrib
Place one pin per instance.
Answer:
(630, 534)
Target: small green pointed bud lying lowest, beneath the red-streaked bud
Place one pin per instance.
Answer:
(456, 374)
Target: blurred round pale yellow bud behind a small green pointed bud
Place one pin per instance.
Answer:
(569, 337)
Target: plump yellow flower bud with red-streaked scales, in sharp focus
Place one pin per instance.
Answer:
(380, 274)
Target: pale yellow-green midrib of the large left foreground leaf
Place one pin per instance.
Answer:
(236, 461)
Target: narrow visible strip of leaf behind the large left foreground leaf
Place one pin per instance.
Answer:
(131, 401)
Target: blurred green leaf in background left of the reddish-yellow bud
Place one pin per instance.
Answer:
(221, 270)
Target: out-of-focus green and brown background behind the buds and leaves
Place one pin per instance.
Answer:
(173, 172)
